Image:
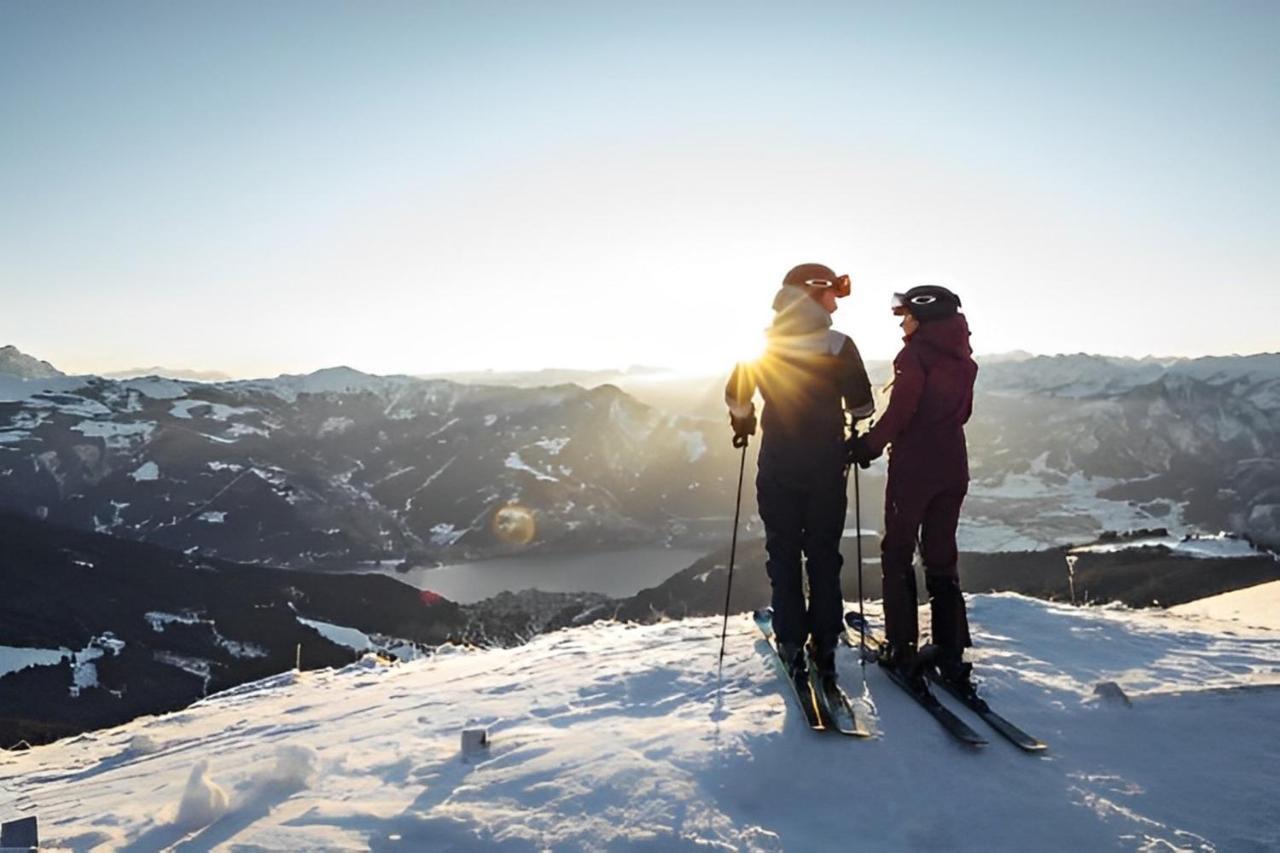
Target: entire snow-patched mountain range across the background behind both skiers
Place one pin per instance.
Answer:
(339, 467)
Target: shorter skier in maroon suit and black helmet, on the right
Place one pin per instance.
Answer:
(929, 477)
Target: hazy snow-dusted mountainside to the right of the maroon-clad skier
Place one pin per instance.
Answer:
(1191, 444)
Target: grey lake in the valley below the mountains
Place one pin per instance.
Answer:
(612, 573)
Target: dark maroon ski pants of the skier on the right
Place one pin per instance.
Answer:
(930, 518)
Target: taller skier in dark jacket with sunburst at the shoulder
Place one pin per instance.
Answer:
(811, 378)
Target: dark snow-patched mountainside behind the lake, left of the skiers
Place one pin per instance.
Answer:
(337, 466)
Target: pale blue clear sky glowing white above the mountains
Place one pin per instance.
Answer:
(419, 188)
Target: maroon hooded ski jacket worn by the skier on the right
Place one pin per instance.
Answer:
(930, 404)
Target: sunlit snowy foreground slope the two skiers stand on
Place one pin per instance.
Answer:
(616, 737)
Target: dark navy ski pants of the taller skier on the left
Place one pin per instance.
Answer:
(804, 518)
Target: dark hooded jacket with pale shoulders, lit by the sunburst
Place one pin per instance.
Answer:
(810, 377)
